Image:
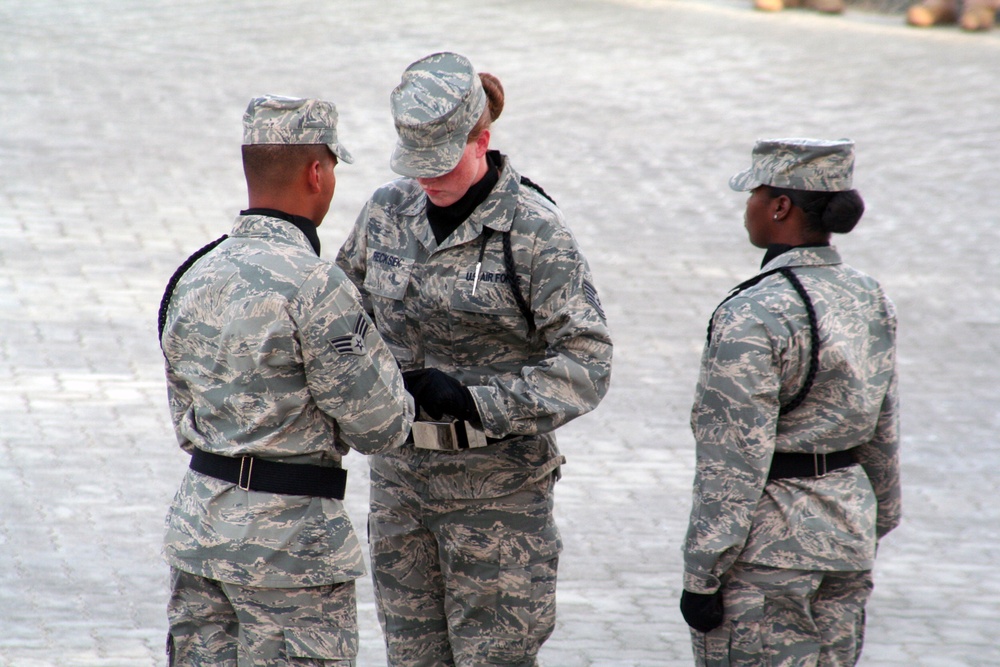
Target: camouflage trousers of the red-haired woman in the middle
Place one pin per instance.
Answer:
(463, 582)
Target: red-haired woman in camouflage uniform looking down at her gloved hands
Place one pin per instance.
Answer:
(463, 542)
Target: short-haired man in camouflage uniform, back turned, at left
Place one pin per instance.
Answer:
(273, 372)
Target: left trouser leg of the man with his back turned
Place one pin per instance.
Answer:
(203, 625)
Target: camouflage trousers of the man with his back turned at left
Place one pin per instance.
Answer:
(216, 624)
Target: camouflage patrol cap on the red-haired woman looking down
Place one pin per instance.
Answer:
(435, 106)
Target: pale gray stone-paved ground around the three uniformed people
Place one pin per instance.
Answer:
(119, 134)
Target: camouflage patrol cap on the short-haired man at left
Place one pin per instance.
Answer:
(271, 119)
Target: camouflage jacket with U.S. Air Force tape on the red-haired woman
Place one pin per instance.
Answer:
(432, 312)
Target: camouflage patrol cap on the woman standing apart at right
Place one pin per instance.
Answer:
(799, 164)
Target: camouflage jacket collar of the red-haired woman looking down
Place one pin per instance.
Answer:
(496, 212)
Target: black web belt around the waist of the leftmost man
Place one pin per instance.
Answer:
(253, 474)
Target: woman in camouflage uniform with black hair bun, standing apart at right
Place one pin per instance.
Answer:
(792, 494)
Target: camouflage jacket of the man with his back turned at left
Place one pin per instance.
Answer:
(269, 353)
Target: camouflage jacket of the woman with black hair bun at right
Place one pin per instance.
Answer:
(755, 361)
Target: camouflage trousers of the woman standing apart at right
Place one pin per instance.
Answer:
(787, 618)
